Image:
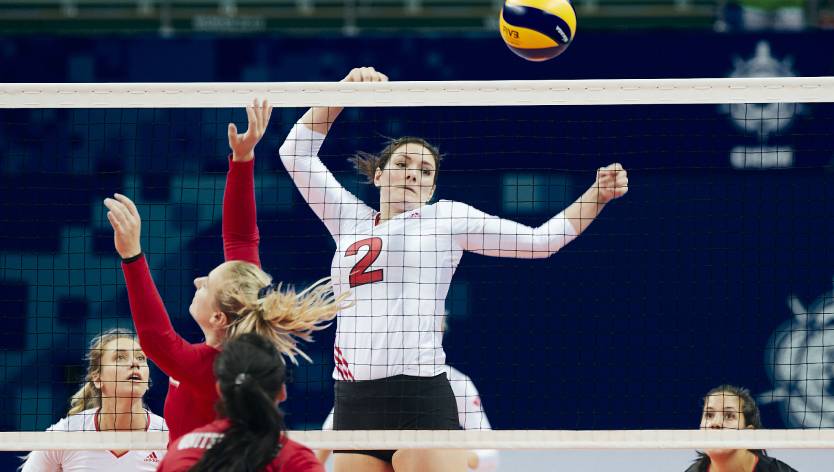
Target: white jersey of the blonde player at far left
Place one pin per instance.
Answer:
(94, 461)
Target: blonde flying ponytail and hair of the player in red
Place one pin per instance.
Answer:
(281, 315)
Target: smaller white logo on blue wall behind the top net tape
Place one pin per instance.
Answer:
(764, 120)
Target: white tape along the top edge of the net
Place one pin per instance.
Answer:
(497, 93)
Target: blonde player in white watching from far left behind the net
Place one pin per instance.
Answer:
(110, 400)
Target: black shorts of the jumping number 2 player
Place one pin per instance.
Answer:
(399, 402)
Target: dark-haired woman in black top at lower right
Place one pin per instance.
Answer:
(731, 407)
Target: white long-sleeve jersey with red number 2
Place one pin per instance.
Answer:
(399, 270)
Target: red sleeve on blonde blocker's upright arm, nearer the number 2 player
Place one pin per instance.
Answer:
(240, 225)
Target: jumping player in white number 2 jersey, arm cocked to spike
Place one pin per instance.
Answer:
(398, 263)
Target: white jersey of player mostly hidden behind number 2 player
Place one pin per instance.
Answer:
(471, 415)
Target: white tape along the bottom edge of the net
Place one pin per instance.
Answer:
(508, 439)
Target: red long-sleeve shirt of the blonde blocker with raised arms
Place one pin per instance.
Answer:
(191, 389)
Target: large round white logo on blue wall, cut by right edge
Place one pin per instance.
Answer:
(800, 363)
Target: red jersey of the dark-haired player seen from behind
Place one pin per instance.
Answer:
(187, 451)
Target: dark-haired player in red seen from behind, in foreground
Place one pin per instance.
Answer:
(248, 435)
